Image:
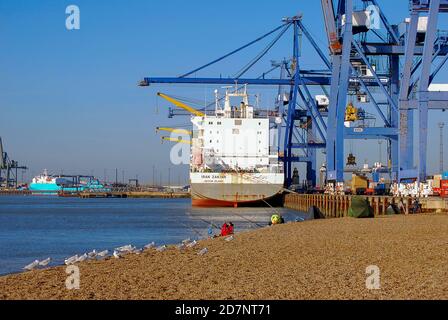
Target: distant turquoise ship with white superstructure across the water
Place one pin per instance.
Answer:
(48, 184)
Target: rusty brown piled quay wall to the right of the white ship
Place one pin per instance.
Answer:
(336, 206)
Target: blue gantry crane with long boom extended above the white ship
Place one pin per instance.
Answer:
(301, 105)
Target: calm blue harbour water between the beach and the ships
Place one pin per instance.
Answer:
(41, 227)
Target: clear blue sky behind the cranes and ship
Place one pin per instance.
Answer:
(69, 100)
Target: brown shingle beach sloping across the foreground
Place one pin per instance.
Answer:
(320, 259)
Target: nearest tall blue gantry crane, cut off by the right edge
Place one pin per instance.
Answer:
(397, 88)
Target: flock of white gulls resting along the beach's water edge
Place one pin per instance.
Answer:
(118, 253)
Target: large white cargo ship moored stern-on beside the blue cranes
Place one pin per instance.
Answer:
(234, 157)
